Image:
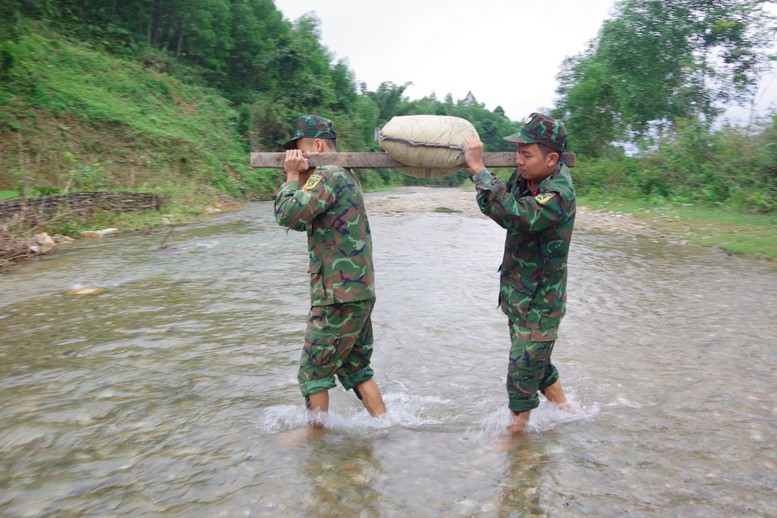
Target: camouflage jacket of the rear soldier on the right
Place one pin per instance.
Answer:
(533, 276)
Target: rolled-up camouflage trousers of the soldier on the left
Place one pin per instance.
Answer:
(338, 342)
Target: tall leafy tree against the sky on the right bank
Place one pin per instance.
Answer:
(656, 62)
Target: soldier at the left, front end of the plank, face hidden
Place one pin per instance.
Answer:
(330, 208)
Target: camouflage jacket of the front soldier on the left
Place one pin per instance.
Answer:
(330, 207)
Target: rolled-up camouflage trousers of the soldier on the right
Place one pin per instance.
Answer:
(529, 370)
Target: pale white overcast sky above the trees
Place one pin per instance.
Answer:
(506, 52)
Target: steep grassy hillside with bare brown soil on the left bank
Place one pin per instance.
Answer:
(75, 117)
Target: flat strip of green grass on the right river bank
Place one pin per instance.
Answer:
(752, 235)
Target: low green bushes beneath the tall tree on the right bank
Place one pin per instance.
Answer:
(731, 166)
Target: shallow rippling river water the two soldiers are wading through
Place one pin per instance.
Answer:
(173, 392)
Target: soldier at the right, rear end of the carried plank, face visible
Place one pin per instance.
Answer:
(536, 206)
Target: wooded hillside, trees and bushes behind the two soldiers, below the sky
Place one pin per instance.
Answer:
(173, 96)
